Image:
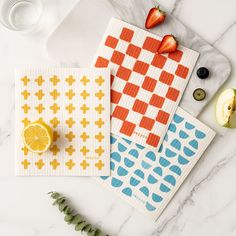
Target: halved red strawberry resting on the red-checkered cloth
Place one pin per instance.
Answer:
(168, 44)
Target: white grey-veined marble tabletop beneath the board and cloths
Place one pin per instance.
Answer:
(206, 203)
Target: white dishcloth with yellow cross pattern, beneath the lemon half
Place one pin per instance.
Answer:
(76, 105)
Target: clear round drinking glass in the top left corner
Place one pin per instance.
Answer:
(20, 15)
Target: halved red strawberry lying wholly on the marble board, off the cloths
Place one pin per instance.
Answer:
(155, 17)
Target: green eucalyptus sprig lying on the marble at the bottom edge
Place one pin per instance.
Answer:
(73, 218)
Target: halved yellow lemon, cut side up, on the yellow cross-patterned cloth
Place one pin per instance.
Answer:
(37, 137)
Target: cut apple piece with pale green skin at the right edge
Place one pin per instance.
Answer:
(225, 108)
